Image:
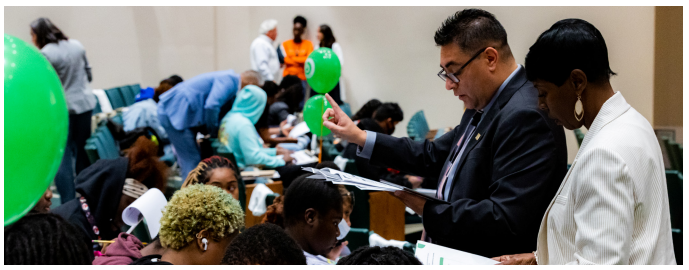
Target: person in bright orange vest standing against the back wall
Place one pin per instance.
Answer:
(295, 52)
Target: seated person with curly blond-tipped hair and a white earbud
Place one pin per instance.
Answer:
(197, 225)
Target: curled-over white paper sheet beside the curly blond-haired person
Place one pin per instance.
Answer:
(149, 206)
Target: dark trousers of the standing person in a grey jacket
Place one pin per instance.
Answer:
(75, 159)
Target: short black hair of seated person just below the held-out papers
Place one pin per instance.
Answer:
(306, 193)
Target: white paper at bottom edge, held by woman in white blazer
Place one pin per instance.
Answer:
(432, 254)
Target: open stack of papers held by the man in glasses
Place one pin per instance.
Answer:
(343, 178)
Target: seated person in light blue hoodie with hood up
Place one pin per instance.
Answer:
(238, 134)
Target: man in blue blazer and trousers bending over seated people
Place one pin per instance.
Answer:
(194, 106)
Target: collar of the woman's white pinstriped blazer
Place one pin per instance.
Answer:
(611, 110)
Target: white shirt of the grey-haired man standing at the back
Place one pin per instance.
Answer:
(264, 57)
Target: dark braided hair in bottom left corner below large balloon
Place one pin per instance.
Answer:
(45, 239)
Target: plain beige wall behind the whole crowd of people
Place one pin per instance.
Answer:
(389, 51)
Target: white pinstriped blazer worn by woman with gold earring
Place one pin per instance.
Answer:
(612, 207)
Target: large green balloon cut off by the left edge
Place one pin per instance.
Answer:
(36, 122)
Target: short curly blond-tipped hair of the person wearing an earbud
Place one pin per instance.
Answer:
(196, 208)
